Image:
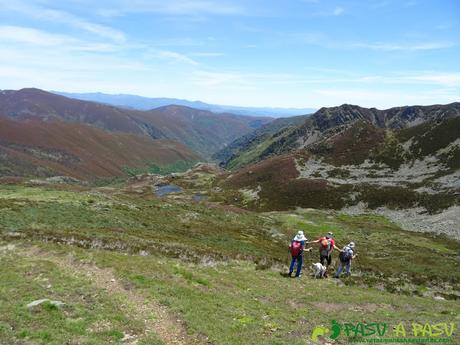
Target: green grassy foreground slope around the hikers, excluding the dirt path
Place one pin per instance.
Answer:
(251, 302)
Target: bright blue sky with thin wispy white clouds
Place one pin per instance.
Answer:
(274, 53)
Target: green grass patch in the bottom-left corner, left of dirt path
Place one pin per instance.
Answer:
(90, 316)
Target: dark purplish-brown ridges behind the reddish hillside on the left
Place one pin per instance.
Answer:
(202, 131)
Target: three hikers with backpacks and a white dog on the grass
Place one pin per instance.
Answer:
(326, 246)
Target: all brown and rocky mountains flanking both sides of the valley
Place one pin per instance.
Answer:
(350, 158)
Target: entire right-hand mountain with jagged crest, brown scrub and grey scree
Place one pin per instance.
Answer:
(402, 162)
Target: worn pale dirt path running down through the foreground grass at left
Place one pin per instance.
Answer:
(165, 325)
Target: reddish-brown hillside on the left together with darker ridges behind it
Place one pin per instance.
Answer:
(44, 133)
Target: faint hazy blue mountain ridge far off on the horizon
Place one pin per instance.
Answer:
(147, 103)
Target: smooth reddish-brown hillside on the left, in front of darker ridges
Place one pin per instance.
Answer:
(79, 150)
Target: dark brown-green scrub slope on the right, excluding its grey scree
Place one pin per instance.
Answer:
(281, 188)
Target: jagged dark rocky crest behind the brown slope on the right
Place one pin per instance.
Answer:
(327, 122)
